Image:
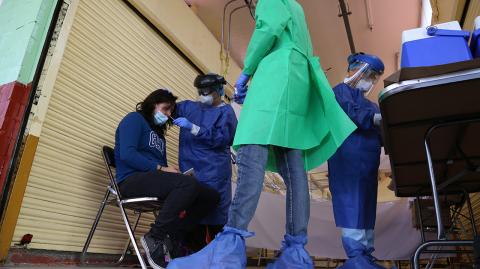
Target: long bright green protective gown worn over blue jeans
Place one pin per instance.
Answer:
(289, 102)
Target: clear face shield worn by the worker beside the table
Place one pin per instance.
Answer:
(362, 76)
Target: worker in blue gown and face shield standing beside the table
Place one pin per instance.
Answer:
(353, 169)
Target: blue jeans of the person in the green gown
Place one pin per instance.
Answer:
(251, 163)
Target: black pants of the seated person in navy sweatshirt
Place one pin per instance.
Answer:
(179, 192)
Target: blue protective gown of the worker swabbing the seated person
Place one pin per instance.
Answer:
(208, 153)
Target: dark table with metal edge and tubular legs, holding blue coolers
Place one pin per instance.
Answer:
(431, 131)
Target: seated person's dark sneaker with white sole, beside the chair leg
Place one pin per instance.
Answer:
(156, 250)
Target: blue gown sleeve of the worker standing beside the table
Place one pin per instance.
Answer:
(362, 116)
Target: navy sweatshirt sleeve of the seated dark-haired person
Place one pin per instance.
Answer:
(130, 130)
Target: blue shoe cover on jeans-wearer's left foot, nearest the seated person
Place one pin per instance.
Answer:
(226, 251)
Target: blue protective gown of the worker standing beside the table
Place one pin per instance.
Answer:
(353, 169)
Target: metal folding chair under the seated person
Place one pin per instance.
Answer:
(139, 205)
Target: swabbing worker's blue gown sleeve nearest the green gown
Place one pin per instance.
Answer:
(221, 134)
